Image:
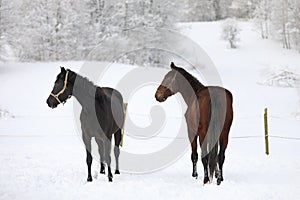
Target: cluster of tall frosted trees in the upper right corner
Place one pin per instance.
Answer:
(279, 19)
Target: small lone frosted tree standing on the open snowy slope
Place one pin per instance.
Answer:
(230, 32)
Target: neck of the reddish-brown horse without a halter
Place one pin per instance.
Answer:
(189, 88)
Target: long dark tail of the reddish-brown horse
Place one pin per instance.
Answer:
(217, 117)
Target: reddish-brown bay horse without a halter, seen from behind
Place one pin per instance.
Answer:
(209, 117)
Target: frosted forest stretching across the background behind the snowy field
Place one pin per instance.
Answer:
(60, 30)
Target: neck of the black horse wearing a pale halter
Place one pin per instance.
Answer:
(84, 91)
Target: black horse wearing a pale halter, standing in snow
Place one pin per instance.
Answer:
(101, 116)
